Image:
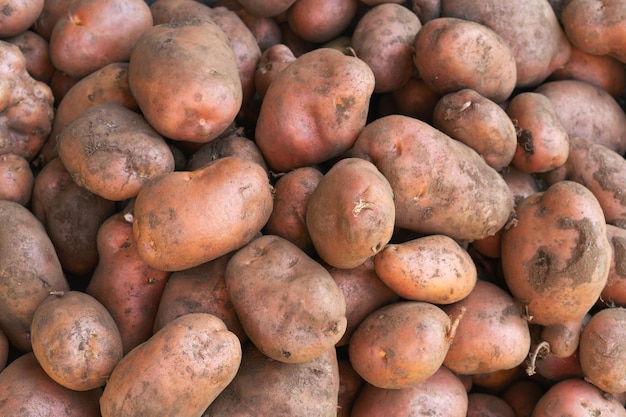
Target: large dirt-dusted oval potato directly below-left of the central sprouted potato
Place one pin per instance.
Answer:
(302, 313)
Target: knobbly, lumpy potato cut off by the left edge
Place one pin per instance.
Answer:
(26, 109)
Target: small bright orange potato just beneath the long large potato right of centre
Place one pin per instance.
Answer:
(433, 268)
